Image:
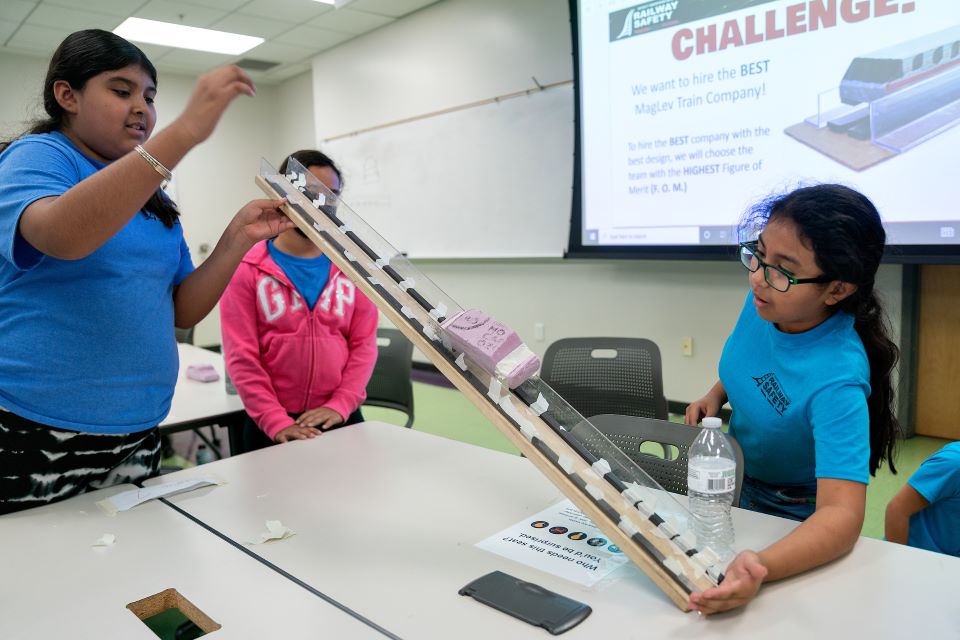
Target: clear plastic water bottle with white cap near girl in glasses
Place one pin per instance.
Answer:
(711, 482)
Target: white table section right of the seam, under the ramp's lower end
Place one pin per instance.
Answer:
(387, 518)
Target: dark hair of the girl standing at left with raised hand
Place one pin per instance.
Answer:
(81, 56)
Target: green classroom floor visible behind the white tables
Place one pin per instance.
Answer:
(446, 412)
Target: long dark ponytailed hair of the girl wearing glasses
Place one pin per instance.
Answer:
(844, 230)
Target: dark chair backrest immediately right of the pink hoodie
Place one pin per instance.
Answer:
(390, 385)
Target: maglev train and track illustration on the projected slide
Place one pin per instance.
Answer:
(891, 100)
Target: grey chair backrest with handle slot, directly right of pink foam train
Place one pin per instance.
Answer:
(607, 375)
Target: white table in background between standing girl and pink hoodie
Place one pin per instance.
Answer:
(198, 404)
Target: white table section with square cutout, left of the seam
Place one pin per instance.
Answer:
(54, 584)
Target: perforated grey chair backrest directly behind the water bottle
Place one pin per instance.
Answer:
(669, 469)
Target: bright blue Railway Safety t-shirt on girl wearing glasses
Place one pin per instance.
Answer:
(799, 400)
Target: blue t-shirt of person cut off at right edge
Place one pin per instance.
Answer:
(937, 527)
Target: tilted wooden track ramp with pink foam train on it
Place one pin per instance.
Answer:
(488, 363)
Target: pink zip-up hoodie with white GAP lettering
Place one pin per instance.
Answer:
(283, 357)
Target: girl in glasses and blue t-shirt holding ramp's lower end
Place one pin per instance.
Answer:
(807, 374)
